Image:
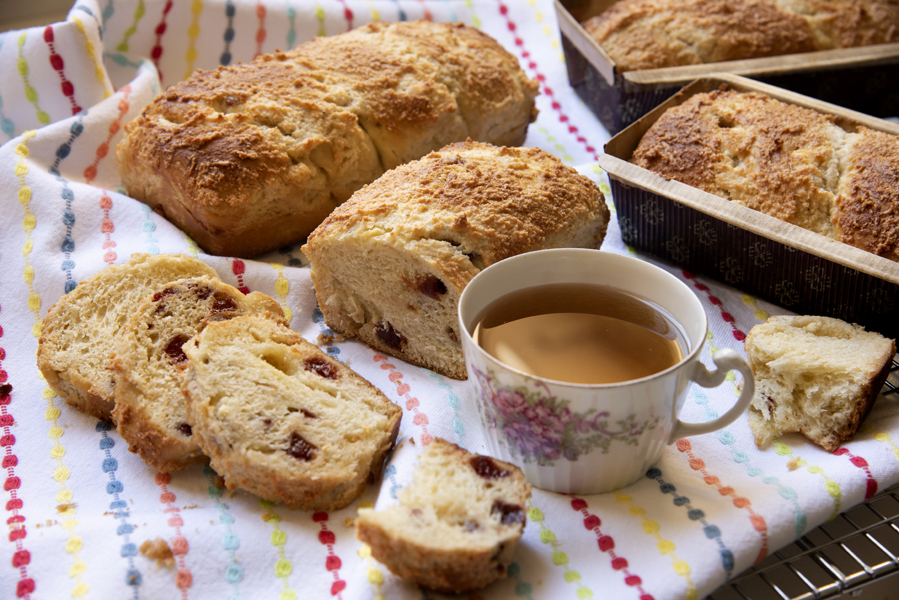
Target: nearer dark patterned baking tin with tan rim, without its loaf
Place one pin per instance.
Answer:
(802, 271)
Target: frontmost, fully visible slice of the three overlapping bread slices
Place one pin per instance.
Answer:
(283, 420)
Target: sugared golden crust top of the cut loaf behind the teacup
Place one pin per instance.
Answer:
(493, 202)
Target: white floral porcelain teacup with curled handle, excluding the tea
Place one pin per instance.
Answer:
(589, 438)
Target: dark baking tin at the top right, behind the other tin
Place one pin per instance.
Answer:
(861, 79)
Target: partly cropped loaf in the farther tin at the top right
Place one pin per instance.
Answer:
(651, 34)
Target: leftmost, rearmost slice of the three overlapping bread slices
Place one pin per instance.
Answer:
(79, 331)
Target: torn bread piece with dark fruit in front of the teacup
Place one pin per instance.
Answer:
(457, 525)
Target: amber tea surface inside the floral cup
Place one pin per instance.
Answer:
(580, 333)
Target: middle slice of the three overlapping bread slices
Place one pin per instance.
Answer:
(149, 364)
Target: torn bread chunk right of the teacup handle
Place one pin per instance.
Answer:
(817, 376)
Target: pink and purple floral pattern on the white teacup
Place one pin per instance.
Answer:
(541, 428)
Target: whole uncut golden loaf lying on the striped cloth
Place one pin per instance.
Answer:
(250, 157)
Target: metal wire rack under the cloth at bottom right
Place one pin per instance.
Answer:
(840, 558)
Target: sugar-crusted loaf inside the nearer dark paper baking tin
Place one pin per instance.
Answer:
(784, 160)
